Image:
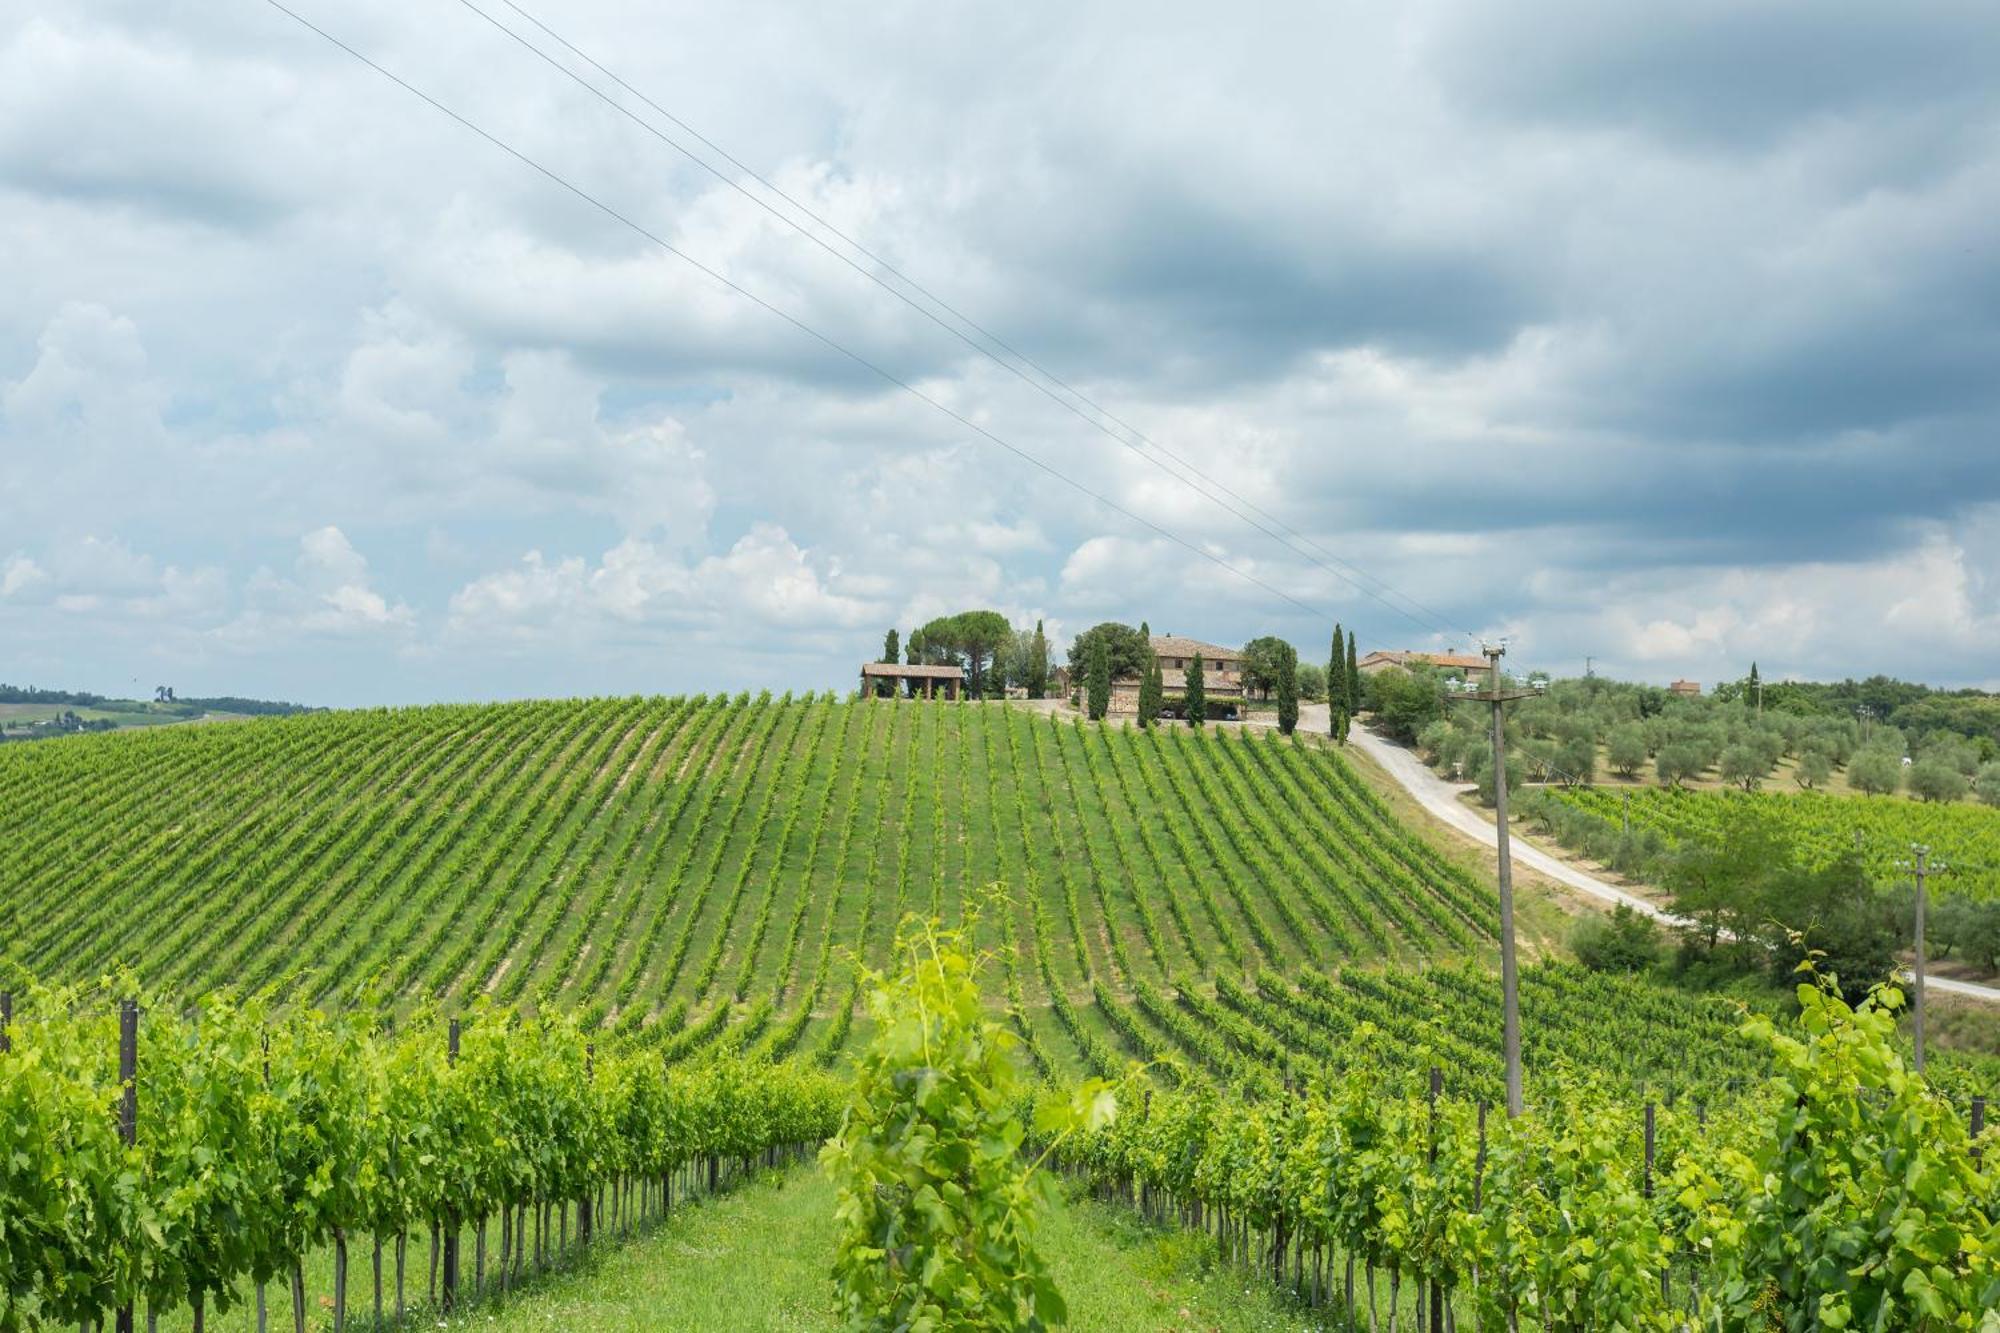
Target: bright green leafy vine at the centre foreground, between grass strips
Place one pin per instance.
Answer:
(939, 1212)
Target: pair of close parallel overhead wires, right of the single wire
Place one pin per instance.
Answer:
(1255, 517)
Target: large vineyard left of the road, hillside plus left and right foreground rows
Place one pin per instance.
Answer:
(589, 958)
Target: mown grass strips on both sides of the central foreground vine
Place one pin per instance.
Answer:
(759, 1258)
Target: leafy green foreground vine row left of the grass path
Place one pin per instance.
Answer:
(267, 1136)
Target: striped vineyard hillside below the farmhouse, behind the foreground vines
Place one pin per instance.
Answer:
(717, 870)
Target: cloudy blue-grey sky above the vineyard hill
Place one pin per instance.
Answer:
(1669, 341)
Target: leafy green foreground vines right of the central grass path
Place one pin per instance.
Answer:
(1549, 1222)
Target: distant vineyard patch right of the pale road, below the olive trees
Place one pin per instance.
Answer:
(1967, 838)
